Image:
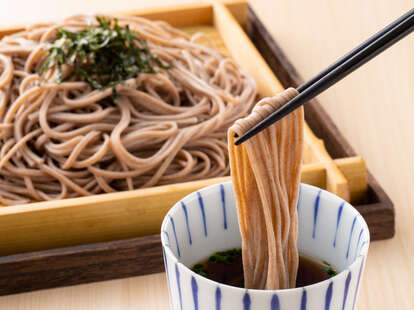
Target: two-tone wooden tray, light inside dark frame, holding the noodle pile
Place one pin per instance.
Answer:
(46, 225)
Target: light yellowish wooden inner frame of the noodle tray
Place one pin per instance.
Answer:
(77, 221)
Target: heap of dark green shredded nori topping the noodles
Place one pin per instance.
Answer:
(103, 56)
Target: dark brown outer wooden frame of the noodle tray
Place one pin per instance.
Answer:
(21, 272)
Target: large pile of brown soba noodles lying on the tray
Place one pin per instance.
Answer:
(63, 137)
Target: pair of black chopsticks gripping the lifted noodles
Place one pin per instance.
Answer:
(339, 69)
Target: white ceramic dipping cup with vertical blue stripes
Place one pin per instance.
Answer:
(205, 222)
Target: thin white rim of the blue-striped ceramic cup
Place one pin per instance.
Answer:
(338, 276)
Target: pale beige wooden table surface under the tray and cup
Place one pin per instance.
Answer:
(374, 108)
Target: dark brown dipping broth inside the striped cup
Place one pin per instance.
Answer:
(227, 267)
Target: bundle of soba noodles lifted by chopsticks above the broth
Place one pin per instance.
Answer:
(266, 174)
